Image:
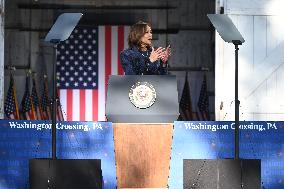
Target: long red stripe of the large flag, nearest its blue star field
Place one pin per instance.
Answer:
(107, 54)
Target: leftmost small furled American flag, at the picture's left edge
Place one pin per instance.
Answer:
(11, 107)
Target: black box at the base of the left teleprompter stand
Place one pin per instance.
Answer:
(65, 174)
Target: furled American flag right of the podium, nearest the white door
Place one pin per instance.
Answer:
(203, 101)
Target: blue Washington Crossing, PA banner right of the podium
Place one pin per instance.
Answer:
(215, 140)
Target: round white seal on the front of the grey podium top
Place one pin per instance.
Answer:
(142, 95)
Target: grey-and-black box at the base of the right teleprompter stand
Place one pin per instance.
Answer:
(222, 174)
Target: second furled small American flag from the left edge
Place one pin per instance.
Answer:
(28, 112)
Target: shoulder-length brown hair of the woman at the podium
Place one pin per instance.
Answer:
(136, 32)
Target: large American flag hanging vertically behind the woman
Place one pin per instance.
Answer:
(84, 64)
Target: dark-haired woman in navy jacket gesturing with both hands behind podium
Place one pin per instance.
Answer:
(141, 58)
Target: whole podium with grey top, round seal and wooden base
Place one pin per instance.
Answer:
(143, 128)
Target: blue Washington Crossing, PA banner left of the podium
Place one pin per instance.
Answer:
(23, 140)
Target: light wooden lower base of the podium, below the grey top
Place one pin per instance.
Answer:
(142, 153)
